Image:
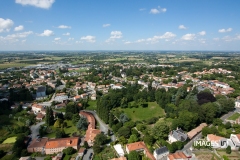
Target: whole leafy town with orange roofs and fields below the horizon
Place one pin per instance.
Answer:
(120, 105)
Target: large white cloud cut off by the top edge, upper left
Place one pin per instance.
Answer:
(45, 4)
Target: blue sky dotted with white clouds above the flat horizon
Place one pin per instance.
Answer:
(120, 25)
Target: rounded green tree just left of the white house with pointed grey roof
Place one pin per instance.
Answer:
(160, 130)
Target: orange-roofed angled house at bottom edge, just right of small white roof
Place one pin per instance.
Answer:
(139, 147)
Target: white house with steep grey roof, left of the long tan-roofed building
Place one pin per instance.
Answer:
(177, 135)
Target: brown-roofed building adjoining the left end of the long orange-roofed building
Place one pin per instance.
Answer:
(37, 145)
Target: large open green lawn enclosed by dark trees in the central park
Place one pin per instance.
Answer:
(140, 113)
